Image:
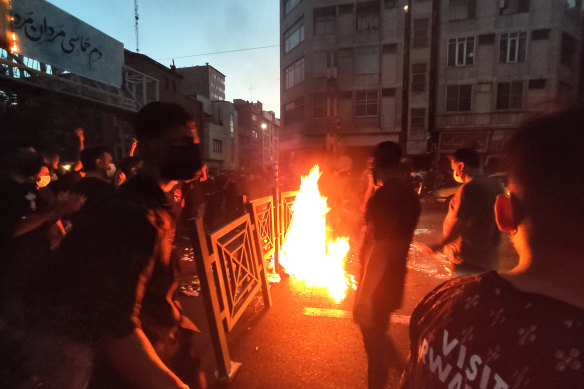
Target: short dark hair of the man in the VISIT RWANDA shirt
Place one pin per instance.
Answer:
(545, 159)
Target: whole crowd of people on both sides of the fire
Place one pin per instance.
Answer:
(88, 269)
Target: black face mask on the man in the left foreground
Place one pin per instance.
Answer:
(180, 162)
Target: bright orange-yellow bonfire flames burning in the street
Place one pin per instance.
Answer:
(307, 253)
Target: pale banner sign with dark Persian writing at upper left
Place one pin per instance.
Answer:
(48, 34)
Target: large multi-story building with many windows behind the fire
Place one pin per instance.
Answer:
(433, 75)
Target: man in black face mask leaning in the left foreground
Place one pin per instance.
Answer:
(100, 315)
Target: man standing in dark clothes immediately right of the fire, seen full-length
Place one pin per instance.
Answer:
(391, 216)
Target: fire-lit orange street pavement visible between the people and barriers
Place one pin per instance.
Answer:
(306, 340)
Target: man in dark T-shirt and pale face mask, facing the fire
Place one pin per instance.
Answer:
(471, 237)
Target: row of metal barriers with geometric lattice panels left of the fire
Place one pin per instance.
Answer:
(234, 270)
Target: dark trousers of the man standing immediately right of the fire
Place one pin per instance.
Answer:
(382, 355)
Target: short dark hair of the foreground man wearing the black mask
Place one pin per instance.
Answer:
(157, 118)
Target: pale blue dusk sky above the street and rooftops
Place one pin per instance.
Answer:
(181, 29)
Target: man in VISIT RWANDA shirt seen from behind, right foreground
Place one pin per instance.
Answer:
(524, 328)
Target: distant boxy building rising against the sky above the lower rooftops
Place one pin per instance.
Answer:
(203, 81)
